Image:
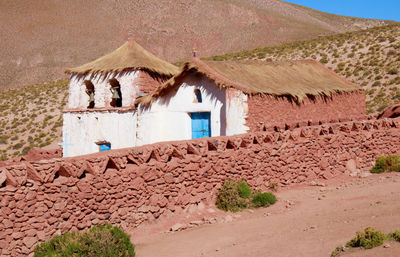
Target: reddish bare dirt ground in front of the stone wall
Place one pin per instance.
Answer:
(306, 221)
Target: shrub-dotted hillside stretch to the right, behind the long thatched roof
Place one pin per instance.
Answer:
(369, 58)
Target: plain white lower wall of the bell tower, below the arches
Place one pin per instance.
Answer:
(84, 129)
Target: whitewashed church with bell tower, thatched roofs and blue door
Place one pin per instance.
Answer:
(130, 98)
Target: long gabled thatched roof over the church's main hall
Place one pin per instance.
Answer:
(295, 79)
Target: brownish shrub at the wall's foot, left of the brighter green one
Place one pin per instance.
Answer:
(229, 199)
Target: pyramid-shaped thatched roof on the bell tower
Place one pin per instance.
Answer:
(130, 56)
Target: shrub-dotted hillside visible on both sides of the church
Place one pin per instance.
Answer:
(31, 117)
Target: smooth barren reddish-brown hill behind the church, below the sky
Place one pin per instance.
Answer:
(41, 38)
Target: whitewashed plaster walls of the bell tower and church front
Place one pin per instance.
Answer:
(168, 118)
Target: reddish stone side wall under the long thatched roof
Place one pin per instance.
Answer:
(269, 110)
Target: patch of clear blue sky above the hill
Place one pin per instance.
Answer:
(374, 9)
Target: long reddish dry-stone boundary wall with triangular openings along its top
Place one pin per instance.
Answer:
(134, 185)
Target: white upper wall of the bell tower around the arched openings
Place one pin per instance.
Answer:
(78, 99)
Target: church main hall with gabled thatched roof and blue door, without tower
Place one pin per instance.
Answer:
(248, 96)
